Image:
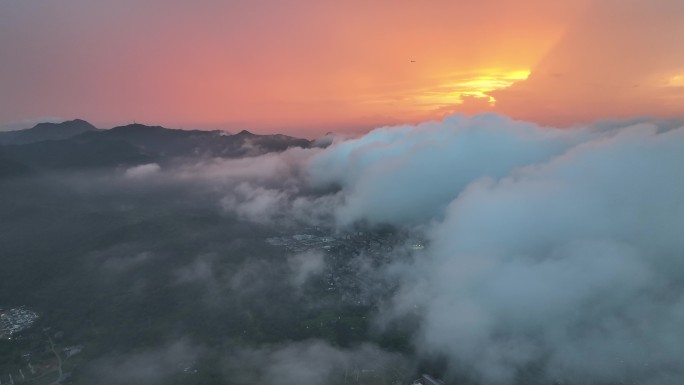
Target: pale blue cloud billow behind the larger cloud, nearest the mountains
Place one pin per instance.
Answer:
(410, 174)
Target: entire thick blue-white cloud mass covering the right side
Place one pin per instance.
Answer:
(553, 254)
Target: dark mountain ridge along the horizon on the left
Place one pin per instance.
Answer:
(78, 145)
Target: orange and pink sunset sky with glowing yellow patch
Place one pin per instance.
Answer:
(308, 66)
